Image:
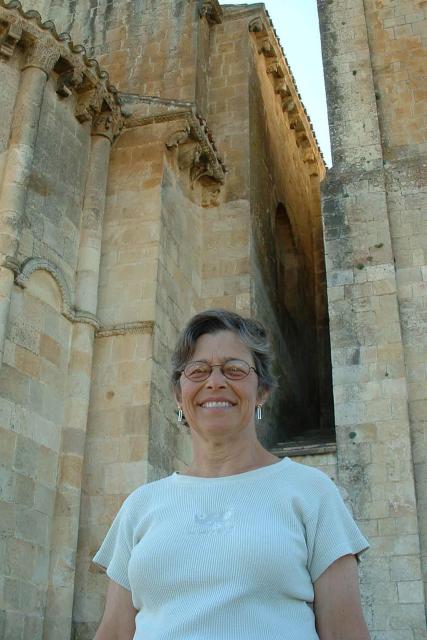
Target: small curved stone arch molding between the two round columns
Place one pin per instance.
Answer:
(30, 267)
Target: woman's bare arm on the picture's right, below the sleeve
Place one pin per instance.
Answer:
(337, 605)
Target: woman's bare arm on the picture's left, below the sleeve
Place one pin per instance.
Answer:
(118, 621)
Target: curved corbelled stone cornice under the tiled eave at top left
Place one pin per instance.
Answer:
(96, 98)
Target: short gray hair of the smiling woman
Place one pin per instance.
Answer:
(251, 332)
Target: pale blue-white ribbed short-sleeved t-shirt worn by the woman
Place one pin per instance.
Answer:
(230, 558)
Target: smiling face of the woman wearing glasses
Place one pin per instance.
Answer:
(237, 398)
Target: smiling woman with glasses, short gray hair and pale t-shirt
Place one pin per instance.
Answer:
(243, 546)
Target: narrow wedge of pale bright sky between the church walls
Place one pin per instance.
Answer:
(297, 27)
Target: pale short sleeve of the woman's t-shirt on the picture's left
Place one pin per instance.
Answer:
(114, 553)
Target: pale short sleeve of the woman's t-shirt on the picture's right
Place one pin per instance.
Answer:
(331, 533)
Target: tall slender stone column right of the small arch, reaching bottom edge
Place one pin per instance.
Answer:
(57, 625)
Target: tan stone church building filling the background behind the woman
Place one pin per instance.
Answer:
(155, 160)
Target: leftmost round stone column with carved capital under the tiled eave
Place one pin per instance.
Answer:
(41, 59)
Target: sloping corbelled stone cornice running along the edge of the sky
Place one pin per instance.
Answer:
(280, 74)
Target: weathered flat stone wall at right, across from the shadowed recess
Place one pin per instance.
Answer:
(372, 200)
